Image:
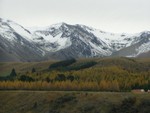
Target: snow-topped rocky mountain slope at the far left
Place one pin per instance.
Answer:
(16, 43)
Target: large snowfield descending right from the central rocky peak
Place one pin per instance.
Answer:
(115, 41)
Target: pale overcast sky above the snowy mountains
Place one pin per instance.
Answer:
(117, 16)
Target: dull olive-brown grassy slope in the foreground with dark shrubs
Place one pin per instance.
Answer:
(73, 102)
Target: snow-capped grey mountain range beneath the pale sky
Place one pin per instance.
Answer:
(63, 41)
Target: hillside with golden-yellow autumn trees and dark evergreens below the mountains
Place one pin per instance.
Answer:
(105, 74)
